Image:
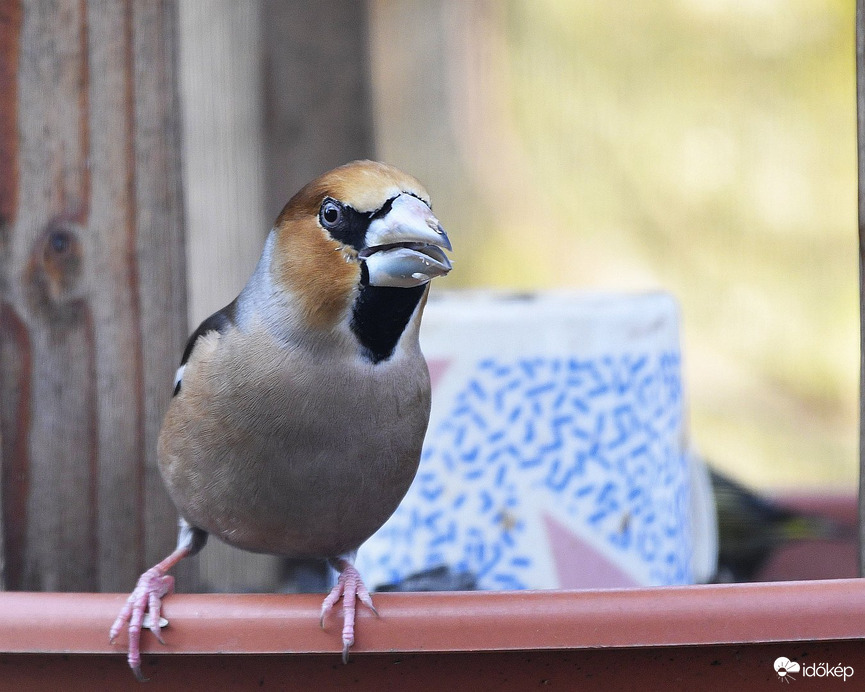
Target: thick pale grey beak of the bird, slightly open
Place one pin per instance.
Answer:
(405, 247)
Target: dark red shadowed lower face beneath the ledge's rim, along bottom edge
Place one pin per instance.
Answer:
(668, 669)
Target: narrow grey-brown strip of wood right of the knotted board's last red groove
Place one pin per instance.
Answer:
(159, 245)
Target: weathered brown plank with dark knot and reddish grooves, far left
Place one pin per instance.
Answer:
(95, 293)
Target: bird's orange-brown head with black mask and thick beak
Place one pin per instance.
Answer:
(363, 231)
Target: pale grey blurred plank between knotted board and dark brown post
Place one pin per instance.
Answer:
(226, 224)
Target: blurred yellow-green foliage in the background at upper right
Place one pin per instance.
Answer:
(706, 147)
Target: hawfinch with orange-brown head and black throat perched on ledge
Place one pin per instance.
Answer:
(299, 410)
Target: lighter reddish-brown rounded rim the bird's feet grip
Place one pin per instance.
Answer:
(476, 621)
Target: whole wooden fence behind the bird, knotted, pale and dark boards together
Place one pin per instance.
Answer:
(94, 245)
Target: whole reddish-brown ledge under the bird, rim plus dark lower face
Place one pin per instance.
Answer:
(711, 636)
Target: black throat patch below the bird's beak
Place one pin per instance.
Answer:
(380, 316)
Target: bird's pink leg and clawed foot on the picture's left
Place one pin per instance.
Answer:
(147, 596)
